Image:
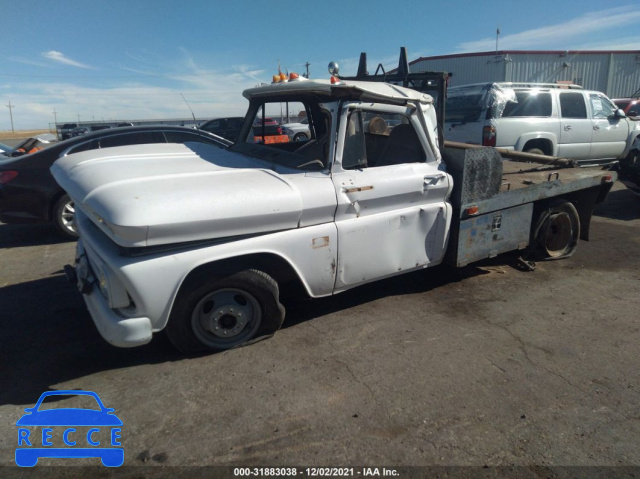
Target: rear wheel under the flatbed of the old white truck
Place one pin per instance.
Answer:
(557, 231)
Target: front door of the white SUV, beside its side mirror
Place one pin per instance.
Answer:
(610, 133)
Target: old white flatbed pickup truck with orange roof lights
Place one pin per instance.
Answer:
(201, 242)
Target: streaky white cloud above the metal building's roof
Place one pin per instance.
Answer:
(573, 32)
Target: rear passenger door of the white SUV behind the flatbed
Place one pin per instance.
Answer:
(576, 128)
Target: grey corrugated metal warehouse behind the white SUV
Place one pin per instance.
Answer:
(615, 73)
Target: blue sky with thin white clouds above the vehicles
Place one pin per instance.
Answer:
(106, 60)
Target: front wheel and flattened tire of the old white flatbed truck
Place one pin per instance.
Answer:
(227, 312)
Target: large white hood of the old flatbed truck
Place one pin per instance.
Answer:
(145, 195)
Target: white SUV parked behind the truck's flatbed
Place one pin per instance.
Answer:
(550, 119)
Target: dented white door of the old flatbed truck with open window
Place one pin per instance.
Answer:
(391, 215)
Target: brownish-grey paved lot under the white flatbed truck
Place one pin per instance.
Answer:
(483, 366)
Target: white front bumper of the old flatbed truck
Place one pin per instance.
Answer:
(115, 329)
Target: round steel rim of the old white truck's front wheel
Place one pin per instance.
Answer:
(226, 317)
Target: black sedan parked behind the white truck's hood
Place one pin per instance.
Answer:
(29, 194)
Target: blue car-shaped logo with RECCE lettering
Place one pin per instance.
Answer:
(68, 425)
